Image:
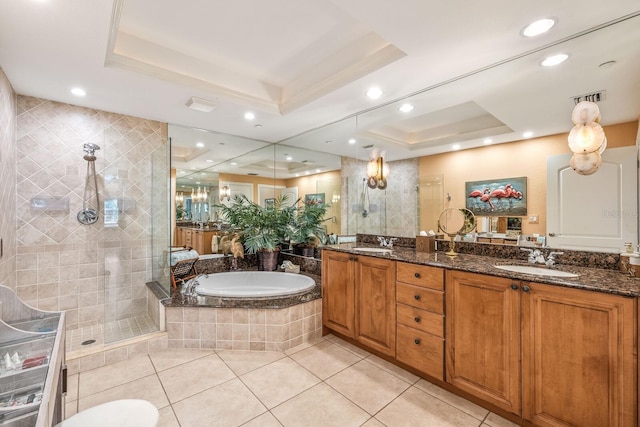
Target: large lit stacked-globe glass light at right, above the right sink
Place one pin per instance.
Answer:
(586, 139)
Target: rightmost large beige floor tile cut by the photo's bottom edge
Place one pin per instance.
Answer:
(417, 408)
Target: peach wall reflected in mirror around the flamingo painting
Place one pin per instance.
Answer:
(523, 158)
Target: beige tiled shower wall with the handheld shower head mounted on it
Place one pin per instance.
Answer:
(96, 273)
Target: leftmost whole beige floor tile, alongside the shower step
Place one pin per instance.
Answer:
(100, 379)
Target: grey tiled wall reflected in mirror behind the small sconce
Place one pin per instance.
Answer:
(390, 212)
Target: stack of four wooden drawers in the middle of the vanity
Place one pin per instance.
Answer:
(420, 318)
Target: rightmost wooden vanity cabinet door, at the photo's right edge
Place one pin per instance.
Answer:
(578, 358)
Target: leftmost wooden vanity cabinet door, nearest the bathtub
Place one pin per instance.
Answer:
(338, 292)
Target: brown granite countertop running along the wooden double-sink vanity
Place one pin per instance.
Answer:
(594, 279)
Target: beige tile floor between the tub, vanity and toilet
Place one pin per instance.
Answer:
(324, 383)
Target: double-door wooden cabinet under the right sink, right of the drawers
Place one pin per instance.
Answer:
(576, 350)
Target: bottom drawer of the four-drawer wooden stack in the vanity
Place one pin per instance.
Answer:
(421, 351)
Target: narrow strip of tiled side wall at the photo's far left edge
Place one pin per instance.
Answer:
(7, 182)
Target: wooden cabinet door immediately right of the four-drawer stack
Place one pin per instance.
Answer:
(483, 337)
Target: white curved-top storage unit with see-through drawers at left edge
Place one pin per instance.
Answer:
(32, 371)
